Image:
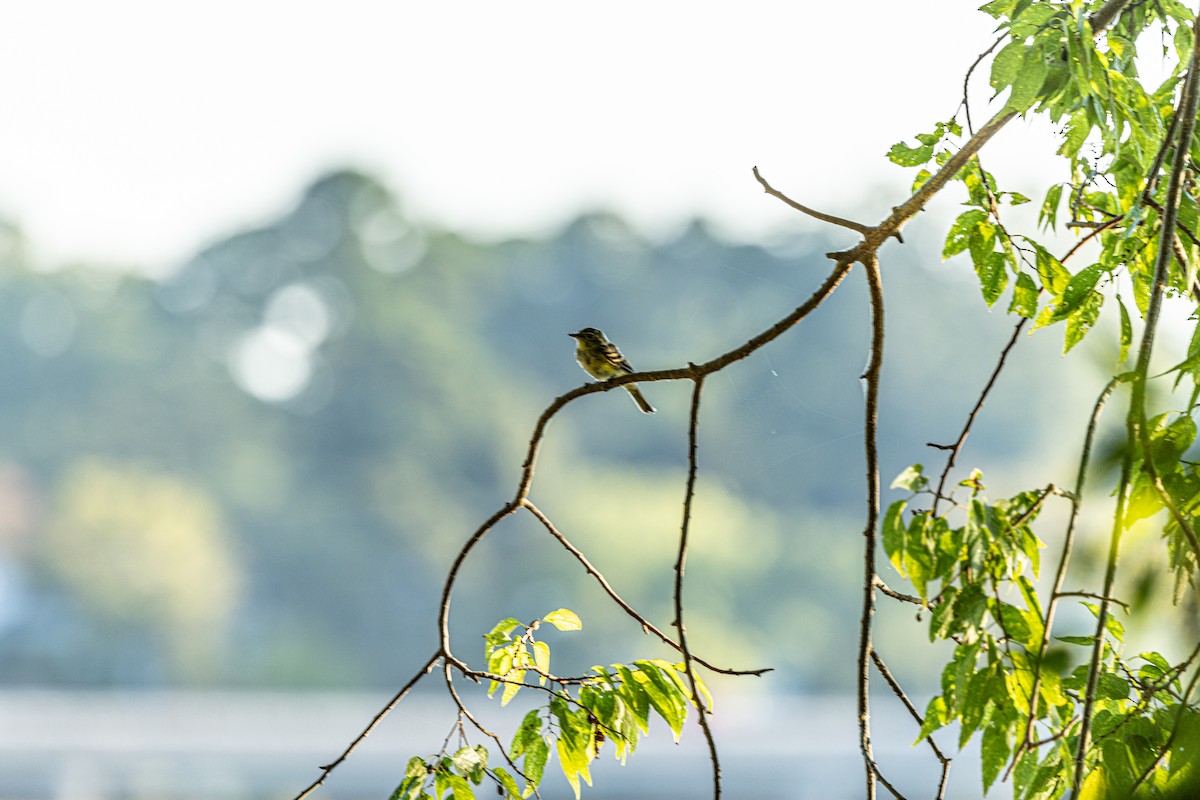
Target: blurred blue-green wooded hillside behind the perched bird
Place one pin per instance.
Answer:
(256, 473)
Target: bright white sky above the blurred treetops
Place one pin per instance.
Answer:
(139, 131)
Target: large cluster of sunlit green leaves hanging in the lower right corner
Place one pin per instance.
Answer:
(1007, 682)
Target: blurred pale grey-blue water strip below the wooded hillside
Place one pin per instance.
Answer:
(241, 747)
